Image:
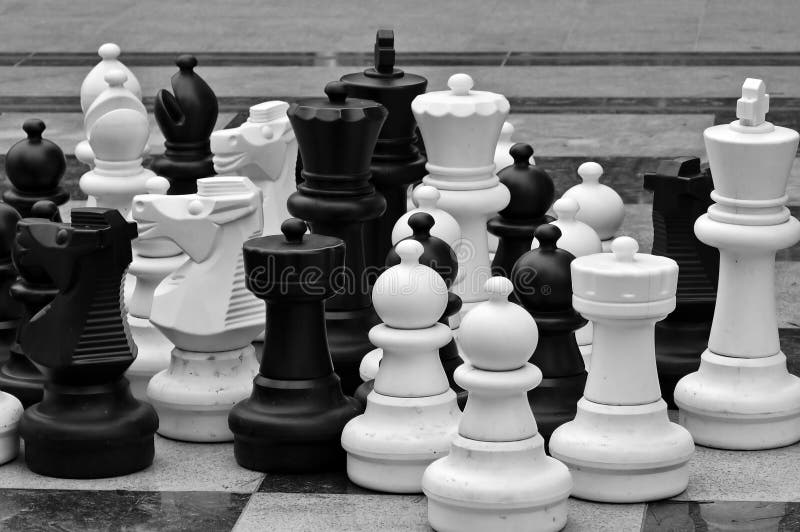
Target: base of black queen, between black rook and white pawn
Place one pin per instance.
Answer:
(348, 340)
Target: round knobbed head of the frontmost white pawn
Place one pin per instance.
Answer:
(498, 335)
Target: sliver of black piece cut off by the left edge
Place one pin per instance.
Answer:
(10, 309)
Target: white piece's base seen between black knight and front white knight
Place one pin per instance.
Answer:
(153, 355)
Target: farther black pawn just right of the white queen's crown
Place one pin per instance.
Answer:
(532, 194)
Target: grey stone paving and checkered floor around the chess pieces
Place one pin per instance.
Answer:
(624, 82)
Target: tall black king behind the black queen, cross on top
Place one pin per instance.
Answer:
(396, 161)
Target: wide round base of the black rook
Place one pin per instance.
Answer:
(292, 426)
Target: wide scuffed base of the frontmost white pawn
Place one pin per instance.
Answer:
(497, 486)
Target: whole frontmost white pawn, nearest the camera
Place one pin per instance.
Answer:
(497, 476)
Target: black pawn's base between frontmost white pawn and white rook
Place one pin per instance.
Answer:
(555, 401)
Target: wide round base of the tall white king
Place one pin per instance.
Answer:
(740, 403)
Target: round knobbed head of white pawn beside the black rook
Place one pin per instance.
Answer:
(409, 295)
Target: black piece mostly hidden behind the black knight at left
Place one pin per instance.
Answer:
(32, 290)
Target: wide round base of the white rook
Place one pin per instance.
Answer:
(624, 454)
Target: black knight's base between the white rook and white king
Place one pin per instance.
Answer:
(679, 345)
